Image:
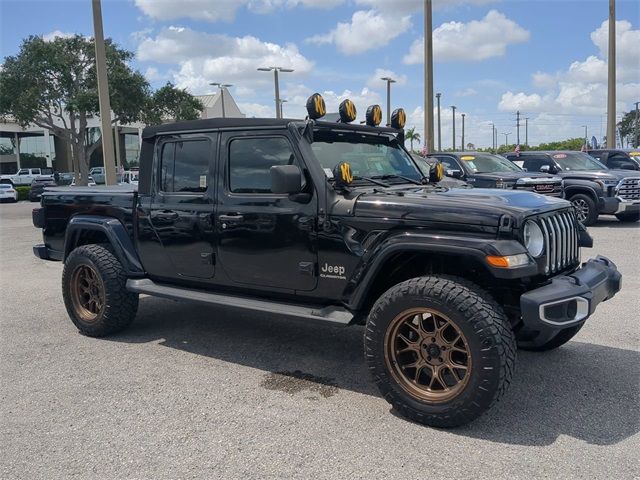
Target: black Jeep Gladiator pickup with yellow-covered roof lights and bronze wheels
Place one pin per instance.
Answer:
(333, 222)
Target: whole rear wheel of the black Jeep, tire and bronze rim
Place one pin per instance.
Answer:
(94, 292)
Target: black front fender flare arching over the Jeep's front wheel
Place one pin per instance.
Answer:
(475, 248)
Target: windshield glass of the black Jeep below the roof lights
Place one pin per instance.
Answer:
(368, 155)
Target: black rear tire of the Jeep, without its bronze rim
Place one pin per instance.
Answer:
(120, 305)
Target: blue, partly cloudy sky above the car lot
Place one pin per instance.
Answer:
(547, 59)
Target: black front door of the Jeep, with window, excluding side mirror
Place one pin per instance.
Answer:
(264, 239)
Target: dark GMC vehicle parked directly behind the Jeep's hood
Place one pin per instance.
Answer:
(486, 170)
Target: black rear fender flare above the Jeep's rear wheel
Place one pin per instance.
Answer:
(117, 235)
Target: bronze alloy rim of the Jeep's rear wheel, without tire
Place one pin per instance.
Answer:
(87, 293)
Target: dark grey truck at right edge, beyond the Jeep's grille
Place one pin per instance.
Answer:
(590, 186)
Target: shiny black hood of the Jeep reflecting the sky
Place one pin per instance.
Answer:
(478, 206)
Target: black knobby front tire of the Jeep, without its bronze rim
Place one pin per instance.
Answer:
(488, 334)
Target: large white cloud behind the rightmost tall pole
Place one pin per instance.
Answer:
(582, 87)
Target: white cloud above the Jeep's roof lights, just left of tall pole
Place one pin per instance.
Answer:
(368, 29)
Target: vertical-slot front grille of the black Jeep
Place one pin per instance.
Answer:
(560, 232)
